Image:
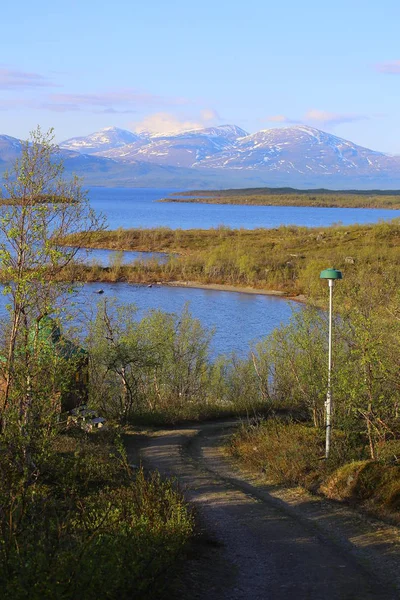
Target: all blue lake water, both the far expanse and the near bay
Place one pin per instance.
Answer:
(237, 318)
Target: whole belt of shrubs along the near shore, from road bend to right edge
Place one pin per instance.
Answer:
(159, 370)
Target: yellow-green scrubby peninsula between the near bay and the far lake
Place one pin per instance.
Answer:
(287, 259)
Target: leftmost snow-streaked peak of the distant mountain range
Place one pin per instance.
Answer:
(106, 139)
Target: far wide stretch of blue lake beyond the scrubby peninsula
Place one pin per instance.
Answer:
(139, 208)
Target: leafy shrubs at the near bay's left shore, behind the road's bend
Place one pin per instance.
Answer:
(159, 364)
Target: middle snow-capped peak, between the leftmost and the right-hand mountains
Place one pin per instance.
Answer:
(183, 149)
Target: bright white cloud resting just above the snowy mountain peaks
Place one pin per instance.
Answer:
(165, 122)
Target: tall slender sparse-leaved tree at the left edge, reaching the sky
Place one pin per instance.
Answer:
(39, 206)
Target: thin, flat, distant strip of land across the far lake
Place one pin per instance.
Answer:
(389, 199)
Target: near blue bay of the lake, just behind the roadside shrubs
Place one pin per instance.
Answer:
(236, 318)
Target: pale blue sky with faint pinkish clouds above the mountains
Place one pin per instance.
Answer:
(83, 65)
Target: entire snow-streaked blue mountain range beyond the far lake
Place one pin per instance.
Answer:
(224, 156)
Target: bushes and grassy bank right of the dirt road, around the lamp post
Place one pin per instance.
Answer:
(364, 465)
